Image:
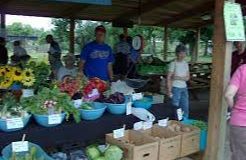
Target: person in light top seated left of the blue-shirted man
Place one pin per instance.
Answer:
(69, 69)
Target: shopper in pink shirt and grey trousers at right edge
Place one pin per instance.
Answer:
(236, 99)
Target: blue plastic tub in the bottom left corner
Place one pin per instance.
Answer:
(7, 152)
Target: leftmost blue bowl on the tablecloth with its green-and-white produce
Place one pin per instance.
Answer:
(13, 116)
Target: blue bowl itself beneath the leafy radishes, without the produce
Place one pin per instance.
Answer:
(43, 120)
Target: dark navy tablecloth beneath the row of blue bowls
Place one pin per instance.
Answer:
(83, 132)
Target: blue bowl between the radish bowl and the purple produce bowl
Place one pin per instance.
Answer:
(97, 112)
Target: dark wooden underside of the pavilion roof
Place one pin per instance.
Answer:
(174, 13)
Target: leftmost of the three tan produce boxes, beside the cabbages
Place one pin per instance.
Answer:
(136, 145)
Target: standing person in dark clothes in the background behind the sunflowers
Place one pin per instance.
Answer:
(54, 55)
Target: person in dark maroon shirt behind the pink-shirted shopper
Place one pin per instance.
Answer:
(238, 56)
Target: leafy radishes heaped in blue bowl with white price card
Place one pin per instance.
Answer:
(50, 107)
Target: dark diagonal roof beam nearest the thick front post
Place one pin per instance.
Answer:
(196, 10)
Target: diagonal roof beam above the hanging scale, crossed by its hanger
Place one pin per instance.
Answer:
(146, 7)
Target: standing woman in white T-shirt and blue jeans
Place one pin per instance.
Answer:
(177, 77)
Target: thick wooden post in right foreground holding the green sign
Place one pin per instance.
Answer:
(220, 77)
